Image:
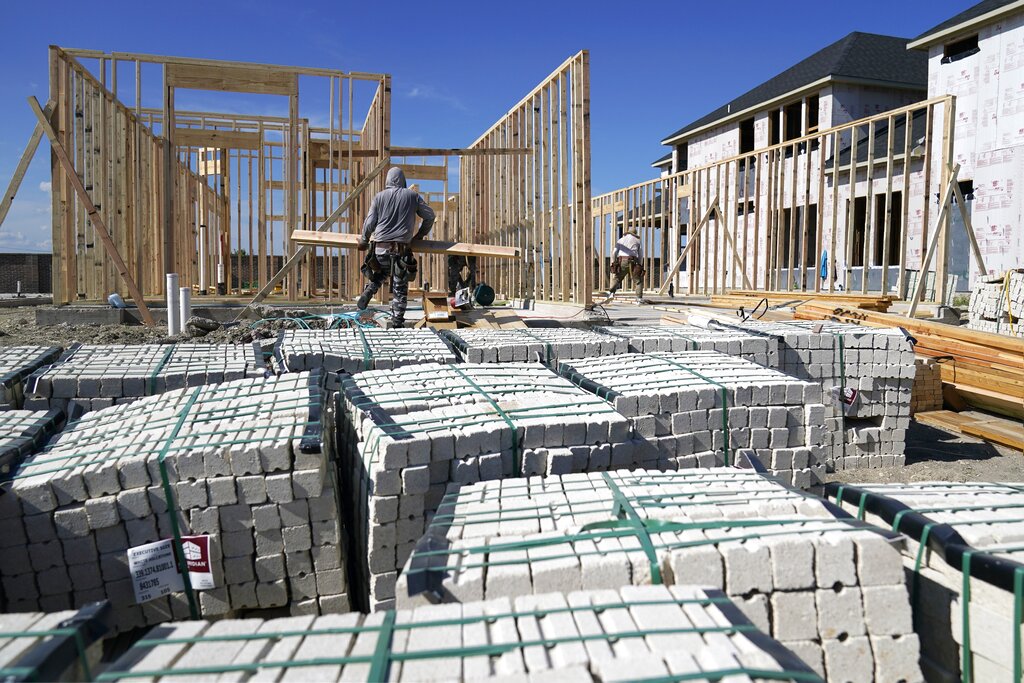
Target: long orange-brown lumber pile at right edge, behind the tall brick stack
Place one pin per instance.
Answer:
(987, 370)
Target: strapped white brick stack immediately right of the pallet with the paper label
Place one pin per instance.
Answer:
(407, 434)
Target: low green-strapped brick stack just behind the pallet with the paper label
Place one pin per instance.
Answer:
(94, 377)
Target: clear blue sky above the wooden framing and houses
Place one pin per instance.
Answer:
(456, 67)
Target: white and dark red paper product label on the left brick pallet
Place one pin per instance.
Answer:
(155, 572)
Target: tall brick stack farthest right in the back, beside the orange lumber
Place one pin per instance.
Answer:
(867, 376)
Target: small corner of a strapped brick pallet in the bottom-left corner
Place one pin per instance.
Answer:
(60, 647)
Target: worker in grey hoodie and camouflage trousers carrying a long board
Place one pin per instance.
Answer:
(390, 229)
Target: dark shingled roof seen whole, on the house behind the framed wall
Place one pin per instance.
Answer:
(859, 57)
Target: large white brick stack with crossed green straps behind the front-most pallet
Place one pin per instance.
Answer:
(817, 580)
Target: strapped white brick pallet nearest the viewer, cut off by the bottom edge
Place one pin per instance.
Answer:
(649, 633)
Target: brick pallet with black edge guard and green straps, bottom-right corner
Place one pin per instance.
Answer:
(966, 558)
